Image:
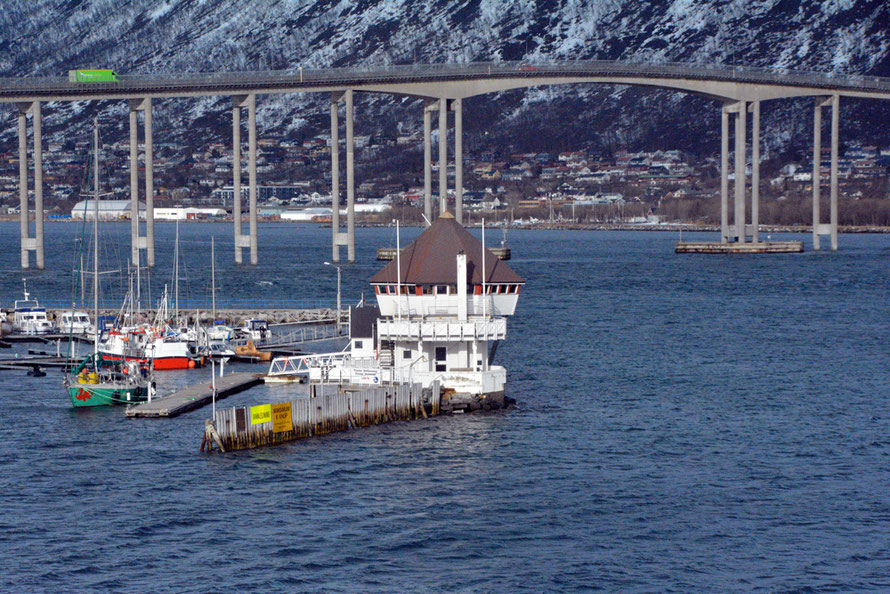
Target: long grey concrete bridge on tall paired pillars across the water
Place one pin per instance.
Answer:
(737, 90)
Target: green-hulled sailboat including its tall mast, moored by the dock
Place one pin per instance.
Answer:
(97, 381)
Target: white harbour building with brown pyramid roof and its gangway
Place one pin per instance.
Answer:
(442, 308)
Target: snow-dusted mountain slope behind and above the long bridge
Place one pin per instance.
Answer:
(48, 37)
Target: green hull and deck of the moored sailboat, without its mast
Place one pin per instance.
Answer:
(97, 382)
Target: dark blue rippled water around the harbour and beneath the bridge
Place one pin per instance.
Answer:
(685, 423)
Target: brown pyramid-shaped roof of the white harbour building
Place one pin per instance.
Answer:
(431, 259)
